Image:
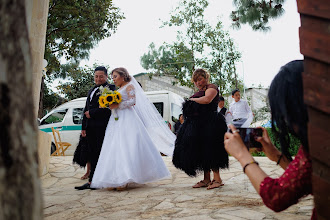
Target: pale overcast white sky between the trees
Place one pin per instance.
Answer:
(262, 53)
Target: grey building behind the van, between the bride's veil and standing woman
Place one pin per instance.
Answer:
(162, 83)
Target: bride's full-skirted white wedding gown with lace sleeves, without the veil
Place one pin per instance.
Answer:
(128, 153)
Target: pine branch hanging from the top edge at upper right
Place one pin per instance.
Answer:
(256, 13)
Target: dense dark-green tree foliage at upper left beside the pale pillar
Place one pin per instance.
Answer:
(74, 28)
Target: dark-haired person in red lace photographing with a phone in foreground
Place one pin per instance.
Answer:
(289, 116)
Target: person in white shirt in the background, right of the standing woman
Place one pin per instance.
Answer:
(240, 110)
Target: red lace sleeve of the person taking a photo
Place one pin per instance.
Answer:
(296, 182)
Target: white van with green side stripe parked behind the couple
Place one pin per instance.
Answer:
(67, 118)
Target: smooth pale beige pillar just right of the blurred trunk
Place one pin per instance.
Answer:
(37, 23)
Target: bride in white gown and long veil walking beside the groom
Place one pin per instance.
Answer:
(132, 144)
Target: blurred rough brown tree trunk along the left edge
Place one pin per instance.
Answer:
(20, 191)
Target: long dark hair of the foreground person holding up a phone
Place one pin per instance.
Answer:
(286, 99)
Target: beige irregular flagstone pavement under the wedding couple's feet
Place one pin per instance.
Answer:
(167, 199)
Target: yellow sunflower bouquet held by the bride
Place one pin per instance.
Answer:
(108, 97)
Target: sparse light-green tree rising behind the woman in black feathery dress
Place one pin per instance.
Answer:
(198, 45)
